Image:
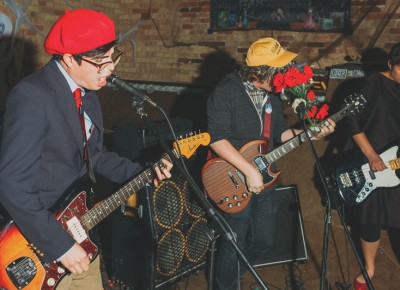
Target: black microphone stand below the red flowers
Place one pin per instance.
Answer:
(329, 189)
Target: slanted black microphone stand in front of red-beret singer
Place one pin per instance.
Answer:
(209, 208)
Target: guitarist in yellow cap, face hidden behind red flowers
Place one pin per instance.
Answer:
(243, 108)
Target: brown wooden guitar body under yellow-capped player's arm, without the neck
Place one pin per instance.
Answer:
(226, 186)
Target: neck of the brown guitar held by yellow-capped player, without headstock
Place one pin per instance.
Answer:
(292, 144)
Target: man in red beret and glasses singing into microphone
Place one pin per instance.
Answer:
(52, 136)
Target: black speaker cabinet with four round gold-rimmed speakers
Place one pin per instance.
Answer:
(167, 243)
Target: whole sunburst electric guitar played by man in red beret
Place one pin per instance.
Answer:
(21, 263)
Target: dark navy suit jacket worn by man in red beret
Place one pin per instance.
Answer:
(41, 155)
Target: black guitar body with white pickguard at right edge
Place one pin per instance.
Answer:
(356, 181)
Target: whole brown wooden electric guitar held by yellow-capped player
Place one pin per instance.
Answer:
(226, 185)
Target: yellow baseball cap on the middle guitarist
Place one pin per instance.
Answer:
(268, 51)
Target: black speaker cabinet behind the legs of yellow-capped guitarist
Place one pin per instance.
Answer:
(289, 245)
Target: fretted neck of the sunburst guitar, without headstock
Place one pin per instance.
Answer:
(106, 207)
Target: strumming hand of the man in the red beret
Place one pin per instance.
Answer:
(76, 260)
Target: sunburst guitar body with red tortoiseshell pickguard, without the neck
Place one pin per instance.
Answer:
(21, 265)
